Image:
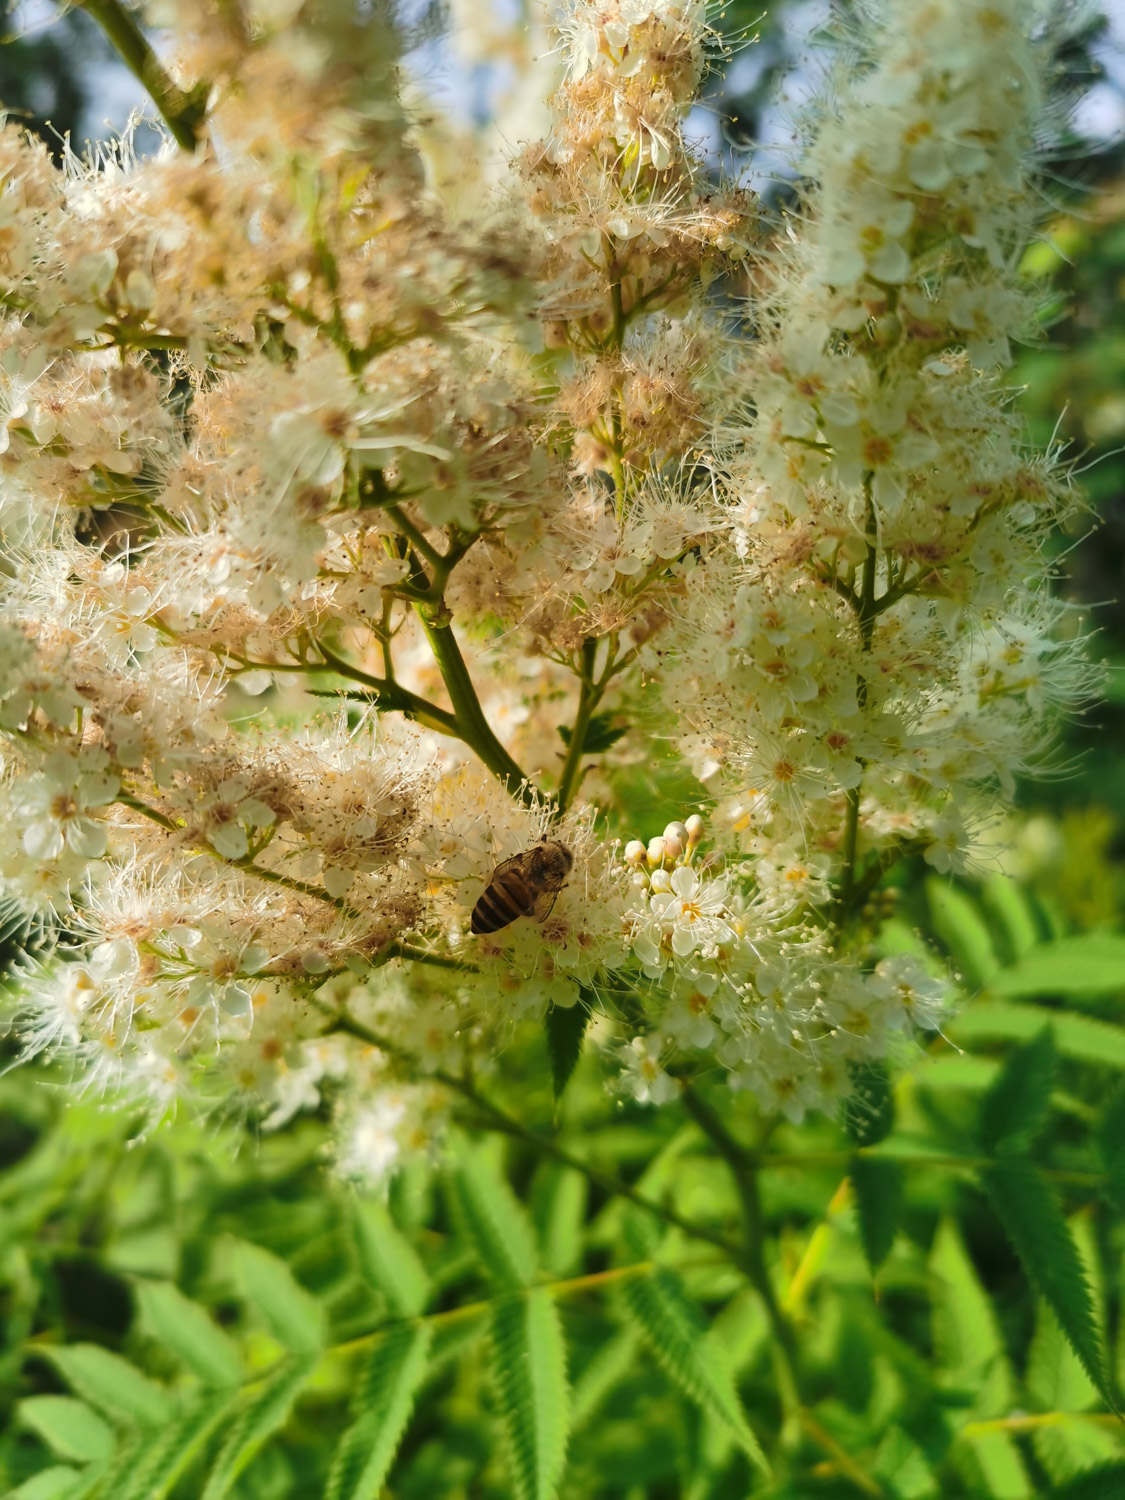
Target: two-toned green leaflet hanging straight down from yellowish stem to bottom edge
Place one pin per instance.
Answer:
(530, 1378)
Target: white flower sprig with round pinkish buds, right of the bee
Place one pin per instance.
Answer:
(736, 970)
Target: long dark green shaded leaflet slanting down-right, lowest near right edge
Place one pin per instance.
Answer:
(1034, 1223)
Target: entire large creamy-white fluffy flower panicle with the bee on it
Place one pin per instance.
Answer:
(358, 553)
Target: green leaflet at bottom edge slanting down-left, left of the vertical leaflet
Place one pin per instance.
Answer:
(380, 1409)
